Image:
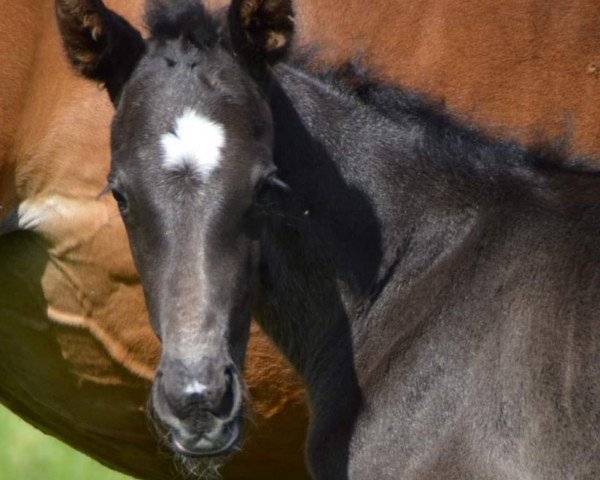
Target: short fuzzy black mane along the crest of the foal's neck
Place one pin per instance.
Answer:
(449, 135)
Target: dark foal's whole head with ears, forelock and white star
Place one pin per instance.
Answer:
(191, 152)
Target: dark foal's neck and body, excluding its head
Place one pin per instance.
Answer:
(470, 348)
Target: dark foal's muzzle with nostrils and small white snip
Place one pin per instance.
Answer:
(200, 406)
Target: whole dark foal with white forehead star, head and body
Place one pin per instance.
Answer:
(437, 290)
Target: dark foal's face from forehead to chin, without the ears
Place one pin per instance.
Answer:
(191, 149)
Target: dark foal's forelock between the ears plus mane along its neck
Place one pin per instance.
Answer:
(446, 136)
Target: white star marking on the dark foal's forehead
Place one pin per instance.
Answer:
(195, 144)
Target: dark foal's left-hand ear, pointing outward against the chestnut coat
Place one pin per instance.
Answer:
(100, 44)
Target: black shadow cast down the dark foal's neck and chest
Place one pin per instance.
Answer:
(322, 251)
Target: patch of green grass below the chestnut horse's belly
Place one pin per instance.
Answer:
(28, 454)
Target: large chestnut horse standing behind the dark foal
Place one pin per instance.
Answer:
(497, 63)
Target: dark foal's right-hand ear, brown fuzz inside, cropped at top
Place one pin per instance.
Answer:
(261, 30)
